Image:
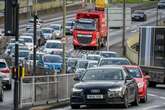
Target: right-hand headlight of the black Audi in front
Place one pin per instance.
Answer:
(115, 92)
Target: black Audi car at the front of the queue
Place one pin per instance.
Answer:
(105, 85)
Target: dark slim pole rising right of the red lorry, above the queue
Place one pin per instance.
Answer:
(123, 38)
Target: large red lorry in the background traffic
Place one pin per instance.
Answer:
(90, 30)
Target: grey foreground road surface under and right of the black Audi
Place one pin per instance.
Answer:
(156, 101)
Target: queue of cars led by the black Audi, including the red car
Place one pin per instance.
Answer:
(106, 78)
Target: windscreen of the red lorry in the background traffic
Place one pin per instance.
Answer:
(86, 24)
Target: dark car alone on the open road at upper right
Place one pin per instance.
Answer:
(139, 16)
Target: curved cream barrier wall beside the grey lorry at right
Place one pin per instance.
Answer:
(131, 51)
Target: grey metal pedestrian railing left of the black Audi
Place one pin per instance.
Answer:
(37, 90)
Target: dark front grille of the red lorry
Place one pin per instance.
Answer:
(84, 39)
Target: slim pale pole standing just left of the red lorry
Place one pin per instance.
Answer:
(64, 36)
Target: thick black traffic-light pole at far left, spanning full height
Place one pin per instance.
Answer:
(15, 6)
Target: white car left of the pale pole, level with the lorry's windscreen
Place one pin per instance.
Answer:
(57, 28)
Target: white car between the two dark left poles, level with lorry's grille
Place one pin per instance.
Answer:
(28, 41)
